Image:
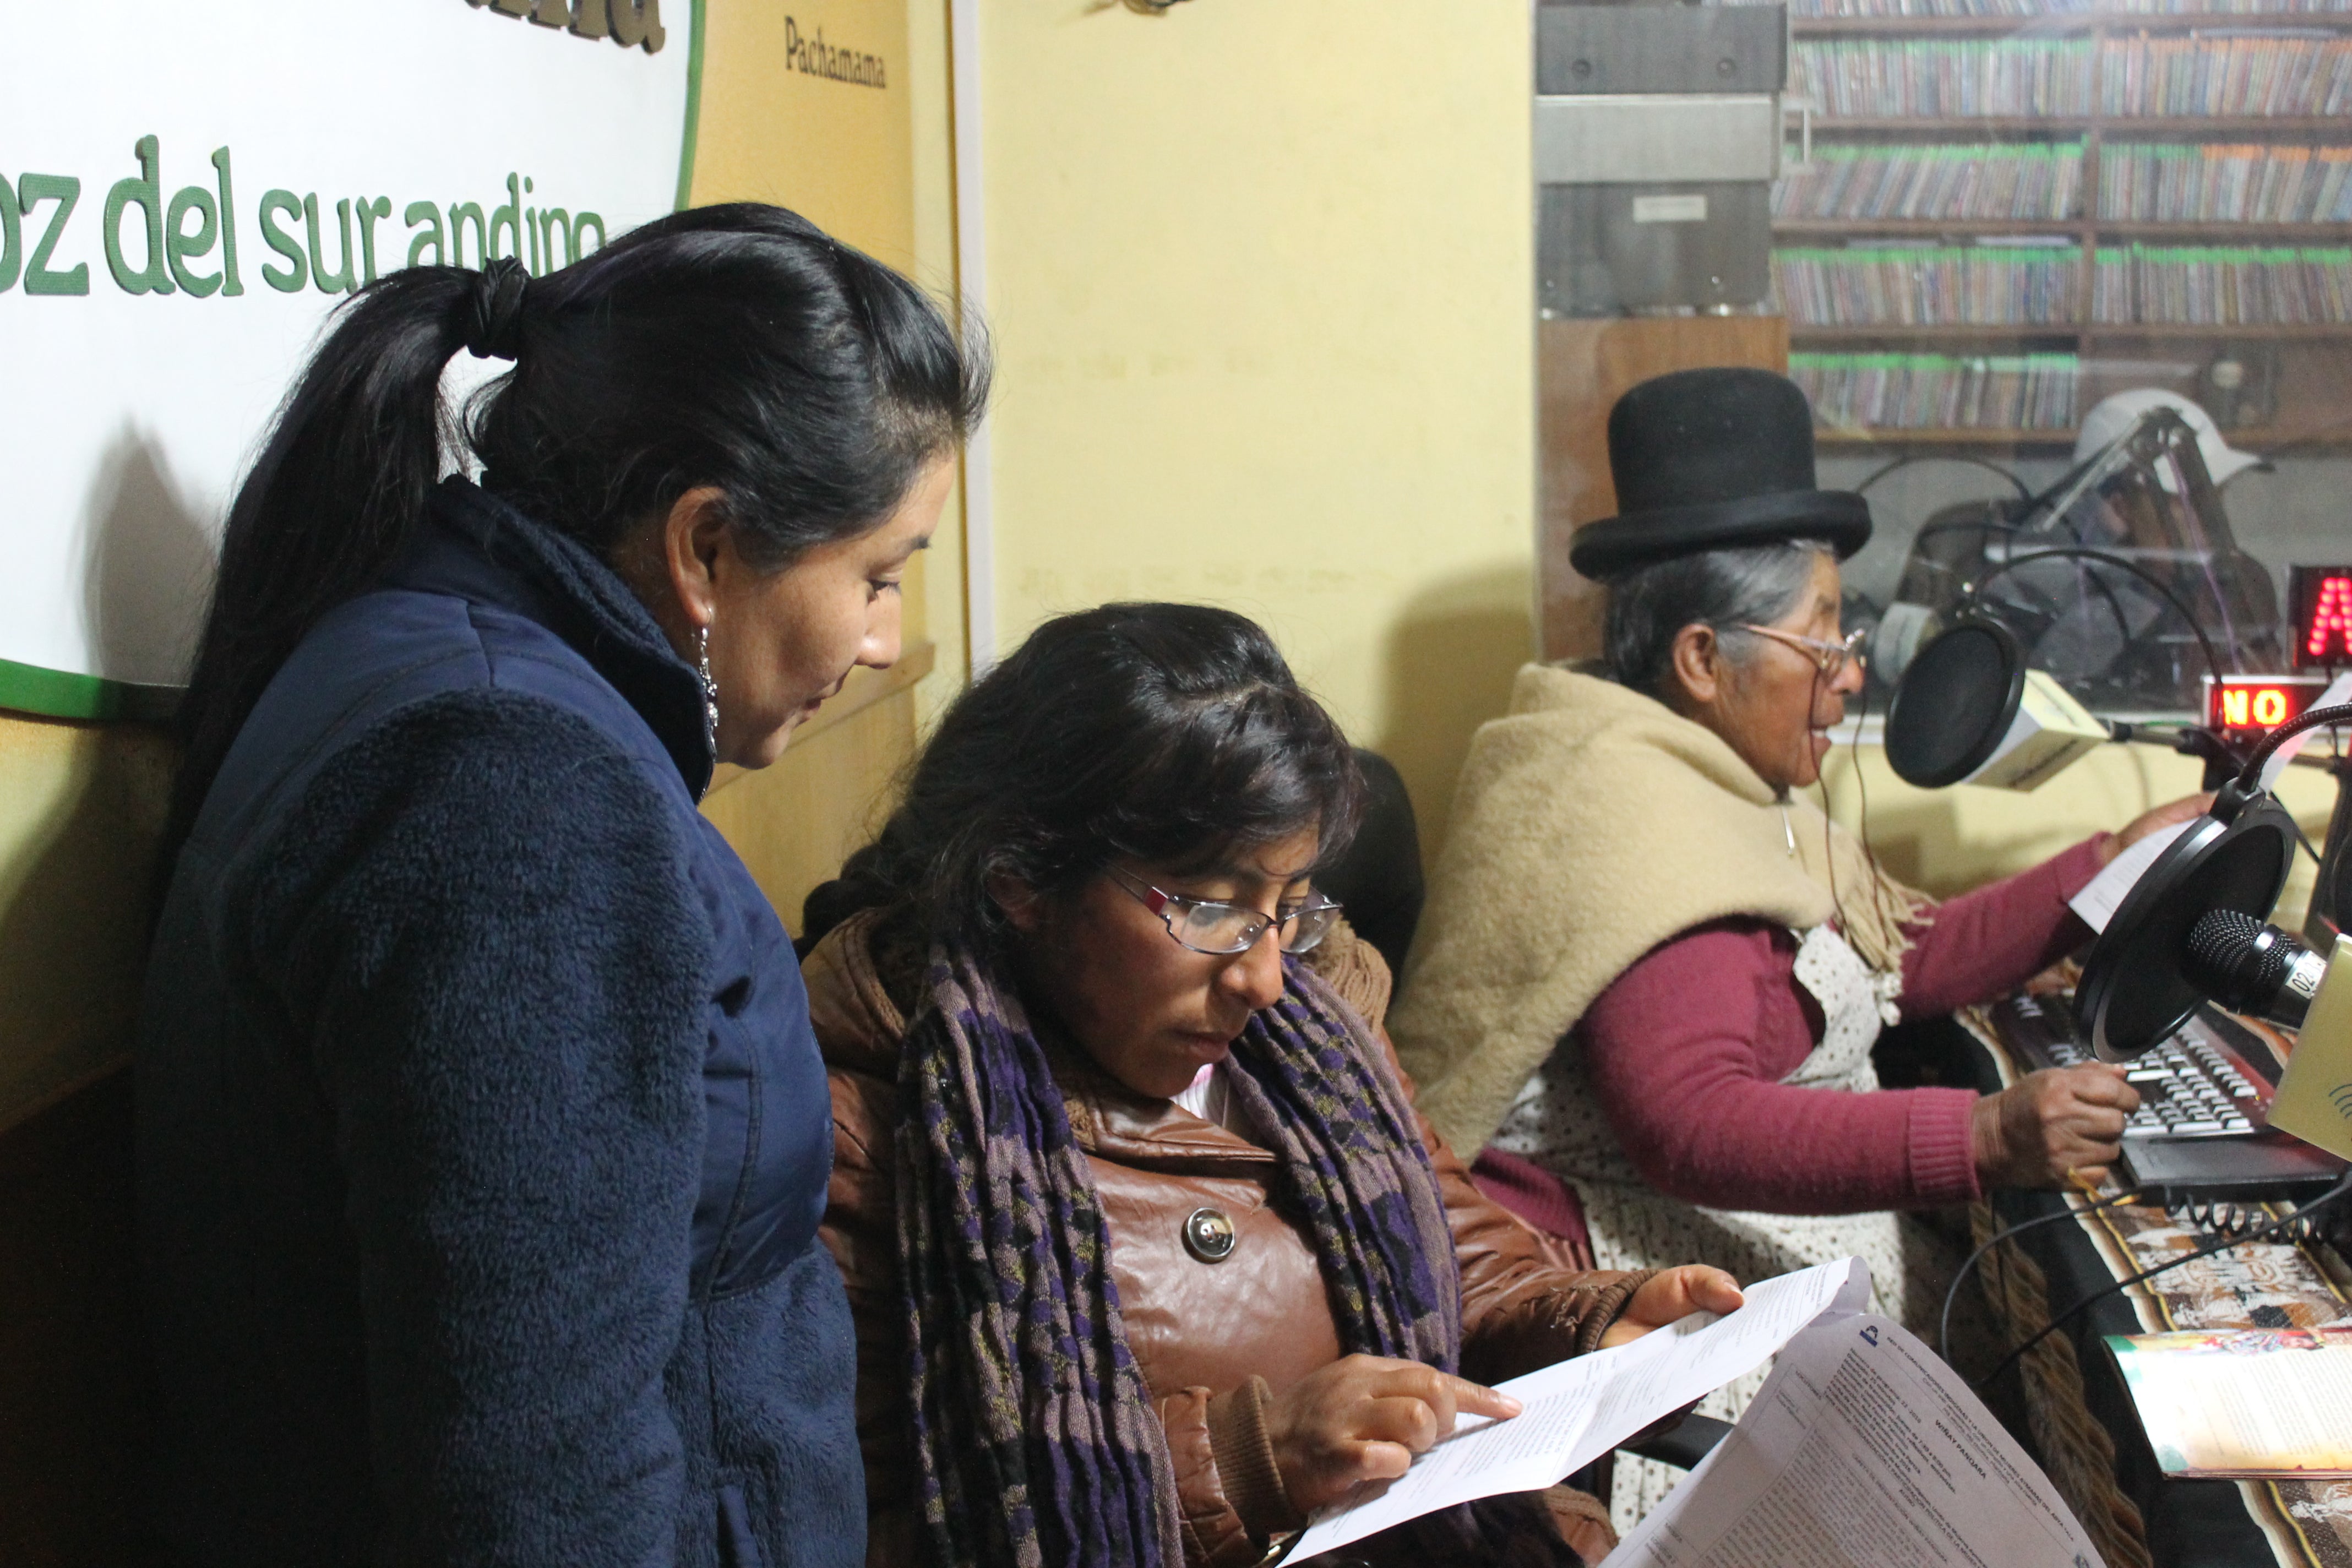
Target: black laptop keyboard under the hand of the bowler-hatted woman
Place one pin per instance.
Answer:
(2196, 1085)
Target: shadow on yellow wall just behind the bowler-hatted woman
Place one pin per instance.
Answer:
(1450, 664)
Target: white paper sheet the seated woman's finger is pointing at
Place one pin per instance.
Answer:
(1577, 1412)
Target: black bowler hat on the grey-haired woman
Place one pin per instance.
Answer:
(1713, 460)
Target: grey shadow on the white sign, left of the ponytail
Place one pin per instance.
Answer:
(149, 563)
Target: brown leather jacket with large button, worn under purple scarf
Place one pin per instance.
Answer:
(1205, 1334)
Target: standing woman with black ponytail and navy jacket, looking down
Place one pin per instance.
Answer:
(483, 1137)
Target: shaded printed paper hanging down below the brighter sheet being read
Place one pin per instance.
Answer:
(1862, 1449)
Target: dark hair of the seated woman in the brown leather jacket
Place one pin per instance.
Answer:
(1170, 735)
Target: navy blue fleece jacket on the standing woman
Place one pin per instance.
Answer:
(481, 1130)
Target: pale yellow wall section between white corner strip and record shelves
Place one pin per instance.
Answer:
(1262, 283)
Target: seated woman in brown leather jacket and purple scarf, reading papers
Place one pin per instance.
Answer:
(1147, 1247)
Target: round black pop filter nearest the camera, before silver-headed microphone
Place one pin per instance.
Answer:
(2134, 986)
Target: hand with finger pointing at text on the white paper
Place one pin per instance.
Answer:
(1361, 1421)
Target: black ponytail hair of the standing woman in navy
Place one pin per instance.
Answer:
(730, 347)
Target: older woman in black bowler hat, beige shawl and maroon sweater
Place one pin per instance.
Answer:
(1648, 979)
